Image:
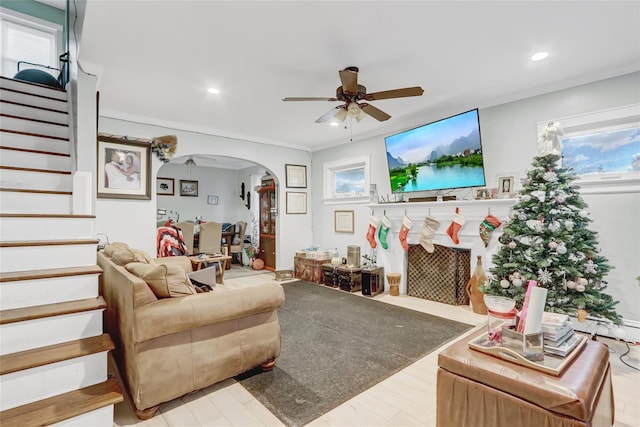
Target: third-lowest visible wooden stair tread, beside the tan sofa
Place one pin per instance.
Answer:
(49, 310)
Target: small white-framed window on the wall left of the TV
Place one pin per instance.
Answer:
(347, 180)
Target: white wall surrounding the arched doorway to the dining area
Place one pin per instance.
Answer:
(134, 221)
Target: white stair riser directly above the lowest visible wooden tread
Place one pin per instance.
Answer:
(23, 387)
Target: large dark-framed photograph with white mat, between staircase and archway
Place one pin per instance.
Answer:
(123, 170)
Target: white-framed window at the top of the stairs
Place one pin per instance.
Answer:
(29, 39)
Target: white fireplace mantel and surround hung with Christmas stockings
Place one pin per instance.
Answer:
(394, 259)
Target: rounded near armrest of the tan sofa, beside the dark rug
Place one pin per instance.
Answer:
(172, 315)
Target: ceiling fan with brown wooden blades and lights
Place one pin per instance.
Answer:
(351, 92)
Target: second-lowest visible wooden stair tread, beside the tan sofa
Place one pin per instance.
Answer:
(33, 358)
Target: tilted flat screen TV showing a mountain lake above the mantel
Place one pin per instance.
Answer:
(442, 155)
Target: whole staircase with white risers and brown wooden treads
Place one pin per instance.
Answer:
(53, 352)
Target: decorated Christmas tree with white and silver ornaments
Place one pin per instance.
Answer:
(547, 239)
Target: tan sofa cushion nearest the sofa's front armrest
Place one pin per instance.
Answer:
(166, 281)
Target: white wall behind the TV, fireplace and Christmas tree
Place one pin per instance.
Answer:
(509, 143)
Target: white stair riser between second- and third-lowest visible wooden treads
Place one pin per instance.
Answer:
(21, 336)
